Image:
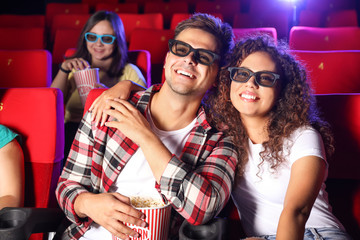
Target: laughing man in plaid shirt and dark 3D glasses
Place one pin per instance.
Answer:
(158, 142)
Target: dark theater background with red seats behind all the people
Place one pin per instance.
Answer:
(35, 35)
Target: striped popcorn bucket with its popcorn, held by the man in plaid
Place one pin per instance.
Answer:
(157, 216)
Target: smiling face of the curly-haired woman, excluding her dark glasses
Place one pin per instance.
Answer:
(250, 99)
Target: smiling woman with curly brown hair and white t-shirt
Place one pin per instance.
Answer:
(264, 101)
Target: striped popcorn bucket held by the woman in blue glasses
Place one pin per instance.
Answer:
(85, 81)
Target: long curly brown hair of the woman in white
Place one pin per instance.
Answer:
(295, 106)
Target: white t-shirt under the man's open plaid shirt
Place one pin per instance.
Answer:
(136, 178)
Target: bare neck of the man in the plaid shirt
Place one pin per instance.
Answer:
(172, 111)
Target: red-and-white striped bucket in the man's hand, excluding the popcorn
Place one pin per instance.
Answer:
(158, 219)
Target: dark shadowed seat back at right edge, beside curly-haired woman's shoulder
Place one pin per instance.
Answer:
(342, 111)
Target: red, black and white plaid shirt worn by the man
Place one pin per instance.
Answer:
(197, 183)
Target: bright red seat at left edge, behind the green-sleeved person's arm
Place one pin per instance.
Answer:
(37, 114)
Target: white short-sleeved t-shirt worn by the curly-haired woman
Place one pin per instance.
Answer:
(260, 200)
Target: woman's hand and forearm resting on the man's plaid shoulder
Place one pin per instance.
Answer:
(121, 90)
